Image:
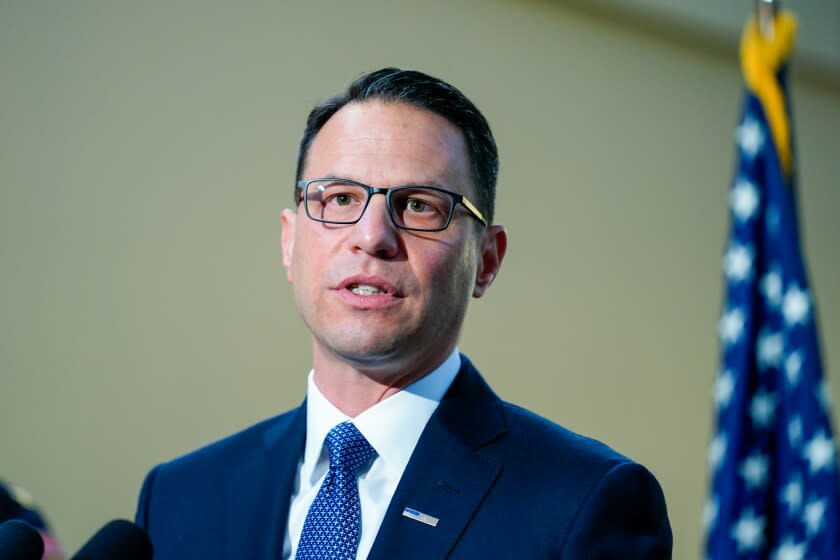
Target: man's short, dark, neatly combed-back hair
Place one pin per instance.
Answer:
(424, 92)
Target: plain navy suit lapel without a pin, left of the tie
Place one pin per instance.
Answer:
(258, 495)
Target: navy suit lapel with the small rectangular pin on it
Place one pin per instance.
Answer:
(446, 478)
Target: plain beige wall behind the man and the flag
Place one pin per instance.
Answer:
(147, 148)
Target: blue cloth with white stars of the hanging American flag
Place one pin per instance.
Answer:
(775, 488)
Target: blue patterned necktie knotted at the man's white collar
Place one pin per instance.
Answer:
(331, 528)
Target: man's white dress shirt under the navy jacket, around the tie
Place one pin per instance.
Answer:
(392, 427)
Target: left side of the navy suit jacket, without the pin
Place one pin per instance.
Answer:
(205, 504)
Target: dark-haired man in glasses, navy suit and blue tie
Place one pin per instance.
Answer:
(400, 450)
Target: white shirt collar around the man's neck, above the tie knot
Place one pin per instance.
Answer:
(392, 426)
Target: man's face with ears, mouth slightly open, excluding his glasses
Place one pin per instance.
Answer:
(387, 301)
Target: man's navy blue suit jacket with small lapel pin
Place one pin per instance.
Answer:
(504, 483)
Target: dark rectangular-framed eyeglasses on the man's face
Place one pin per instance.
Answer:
(417, 208)
